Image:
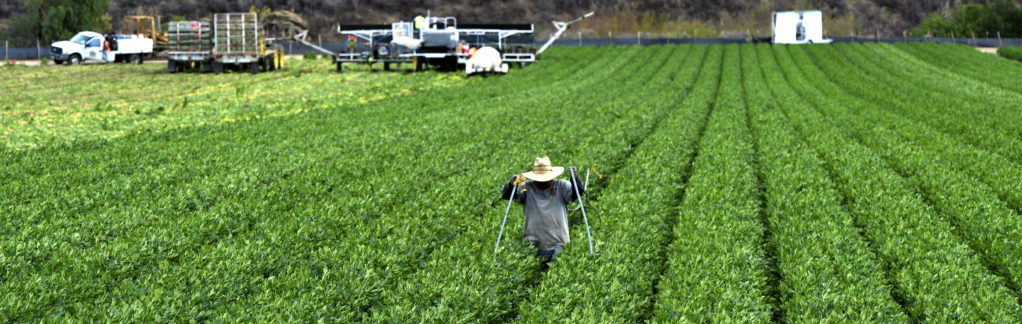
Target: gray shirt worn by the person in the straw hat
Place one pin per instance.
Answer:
(546, 213)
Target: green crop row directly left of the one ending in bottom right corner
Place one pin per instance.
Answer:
(827, 270)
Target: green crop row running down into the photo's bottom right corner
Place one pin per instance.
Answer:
(936, 276)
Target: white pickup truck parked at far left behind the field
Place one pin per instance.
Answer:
(89, 47)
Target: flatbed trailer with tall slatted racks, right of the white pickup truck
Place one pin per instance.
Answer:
(230, 41)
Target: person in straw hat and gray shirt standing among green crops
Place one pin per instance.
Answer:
(546, 202)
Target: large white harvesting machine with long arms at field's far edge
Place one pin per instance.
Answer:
(443, 43)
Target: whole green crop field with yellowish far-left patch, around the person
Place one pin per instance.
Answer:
(744, 183)
